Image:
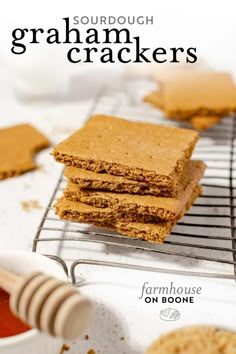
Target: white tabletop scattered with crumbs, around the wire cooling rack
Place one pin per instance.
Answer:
(118, 310)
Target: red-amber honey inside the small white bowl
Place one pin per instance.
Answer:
(10, 325)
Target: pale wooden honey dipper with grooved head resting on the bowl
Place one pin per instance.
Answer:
(46, 303)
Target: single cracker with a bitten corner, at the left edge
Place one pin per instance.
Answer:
(18, 144)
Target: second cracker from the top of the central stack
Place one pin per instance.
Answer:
(105, 181)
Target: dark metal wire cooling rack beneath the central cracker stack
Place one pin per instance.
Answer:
(201, 244)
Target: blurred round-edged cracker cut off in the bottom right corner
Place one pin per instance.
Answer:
(195, 340)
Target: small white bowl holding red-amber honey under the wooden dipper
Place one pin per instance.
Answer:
(30, 342)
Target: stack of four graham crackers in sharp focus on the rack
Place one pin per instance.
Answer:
(136, 178)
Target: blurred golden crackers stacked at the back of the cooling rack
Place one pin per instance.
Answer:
(201, 98)
